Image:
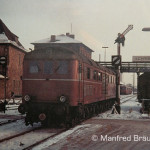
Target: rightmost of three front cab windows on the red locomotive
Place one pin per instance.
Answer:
(62, 67)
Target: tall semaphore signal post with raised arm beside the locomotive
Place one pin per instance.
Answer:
(120, 40)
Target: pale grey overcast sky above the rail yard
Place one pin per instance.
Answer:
(96, 23)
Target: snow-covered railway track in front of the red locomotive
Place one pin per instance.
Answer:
(31, 138)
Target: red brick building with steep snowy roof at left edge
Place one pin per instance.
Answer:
(12, 49)
